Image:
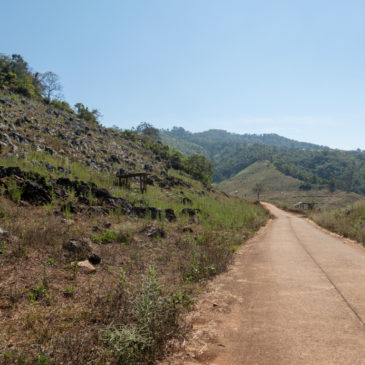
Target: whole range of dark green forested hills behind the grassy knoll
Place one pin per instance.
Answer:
(313, 164)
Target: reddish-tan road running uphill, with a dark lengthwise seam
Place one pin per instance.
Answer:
(295, 294)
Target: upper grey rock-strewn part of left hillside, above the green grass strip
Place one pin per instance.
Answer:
(28, 127)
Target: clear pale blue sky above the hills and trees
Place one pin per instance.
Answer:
(296, 68)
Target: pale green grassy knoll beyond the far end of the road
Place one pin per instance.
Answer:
(281, 188)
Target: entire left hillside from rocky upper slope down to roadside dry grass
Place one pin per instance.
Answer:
(94, 272)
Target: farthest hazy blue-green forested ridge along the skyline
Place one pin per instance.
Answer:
(209, 142)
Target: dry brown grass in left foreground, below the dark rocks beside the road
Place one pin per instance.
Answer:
(67, 321)
